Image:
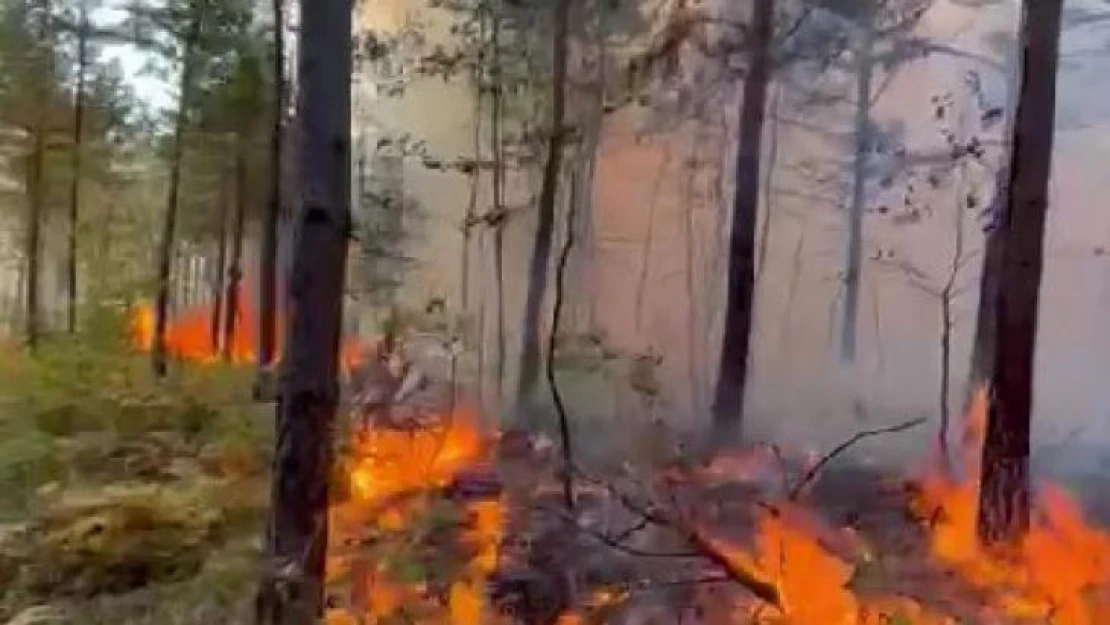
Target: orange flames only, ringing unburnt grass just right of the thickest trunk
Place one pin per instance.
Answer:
(390, 475)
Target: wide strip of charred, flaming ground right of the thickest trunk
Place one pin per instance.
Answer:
(442, 522)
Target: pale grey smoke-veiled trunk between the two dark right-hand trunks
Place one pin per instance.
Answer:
(855, 260)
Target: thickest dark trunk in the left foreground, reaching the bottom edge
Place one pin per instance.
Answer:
(297, 538)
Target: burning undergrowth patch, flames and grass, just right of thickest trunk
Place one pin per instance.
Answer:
(403, 502)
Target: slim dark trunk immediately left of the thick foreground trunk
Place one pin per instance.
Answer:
(268, 276)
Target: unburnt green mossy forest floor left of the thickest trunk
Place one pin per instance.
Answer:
(125, 501)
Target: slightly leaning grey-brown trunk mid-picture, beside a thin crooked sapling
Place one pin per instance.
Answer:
(546, 224)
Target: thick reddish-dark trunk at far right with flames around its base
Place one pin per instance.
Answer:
(1004, 493)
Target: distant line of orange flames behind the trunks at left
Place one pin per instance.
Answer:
(190, 336)
